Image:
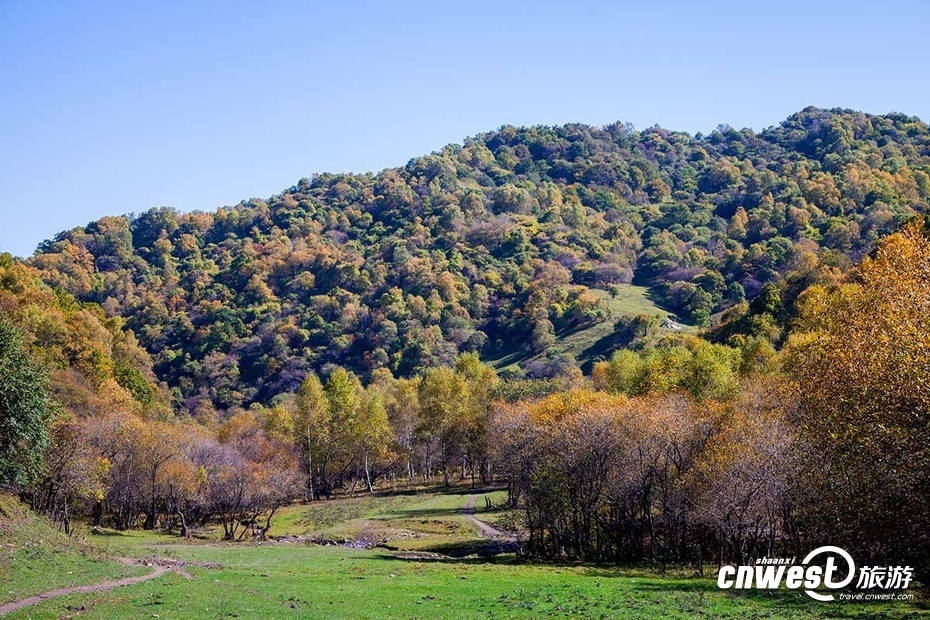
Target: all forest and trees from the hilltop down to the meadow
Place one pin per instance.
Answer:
(176, 370)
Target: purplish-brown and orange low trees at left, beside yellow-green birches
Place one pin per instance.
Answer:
(122, 471)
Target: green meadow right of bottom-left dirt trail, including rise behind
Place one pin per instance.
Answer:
(293, 580)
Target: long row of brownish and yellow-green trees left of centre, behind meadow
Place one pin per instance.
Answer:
(123, 470)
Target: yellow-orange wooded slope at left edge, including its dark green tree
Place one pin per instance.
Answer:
(61, 358)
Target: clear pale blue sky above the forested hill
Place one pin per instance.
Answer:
(110, 108)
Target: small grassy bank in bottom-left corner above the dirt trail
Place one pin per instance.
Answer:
(35, 557)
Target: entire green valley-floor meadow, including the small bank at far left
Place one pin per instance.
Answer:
(410, 555)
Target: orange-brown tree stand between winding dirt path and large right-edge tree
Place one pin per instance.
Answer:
(664, 477)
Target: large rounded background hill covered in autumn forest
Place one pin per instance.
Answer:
(492, 245)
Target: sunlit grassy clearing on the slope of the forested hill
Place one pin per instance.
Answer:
(594, 342)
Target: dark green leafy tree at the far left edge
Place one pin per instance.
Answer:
(25, 409)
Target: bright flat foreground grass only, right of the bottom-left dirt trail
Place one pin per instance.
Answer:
(295, 581)
